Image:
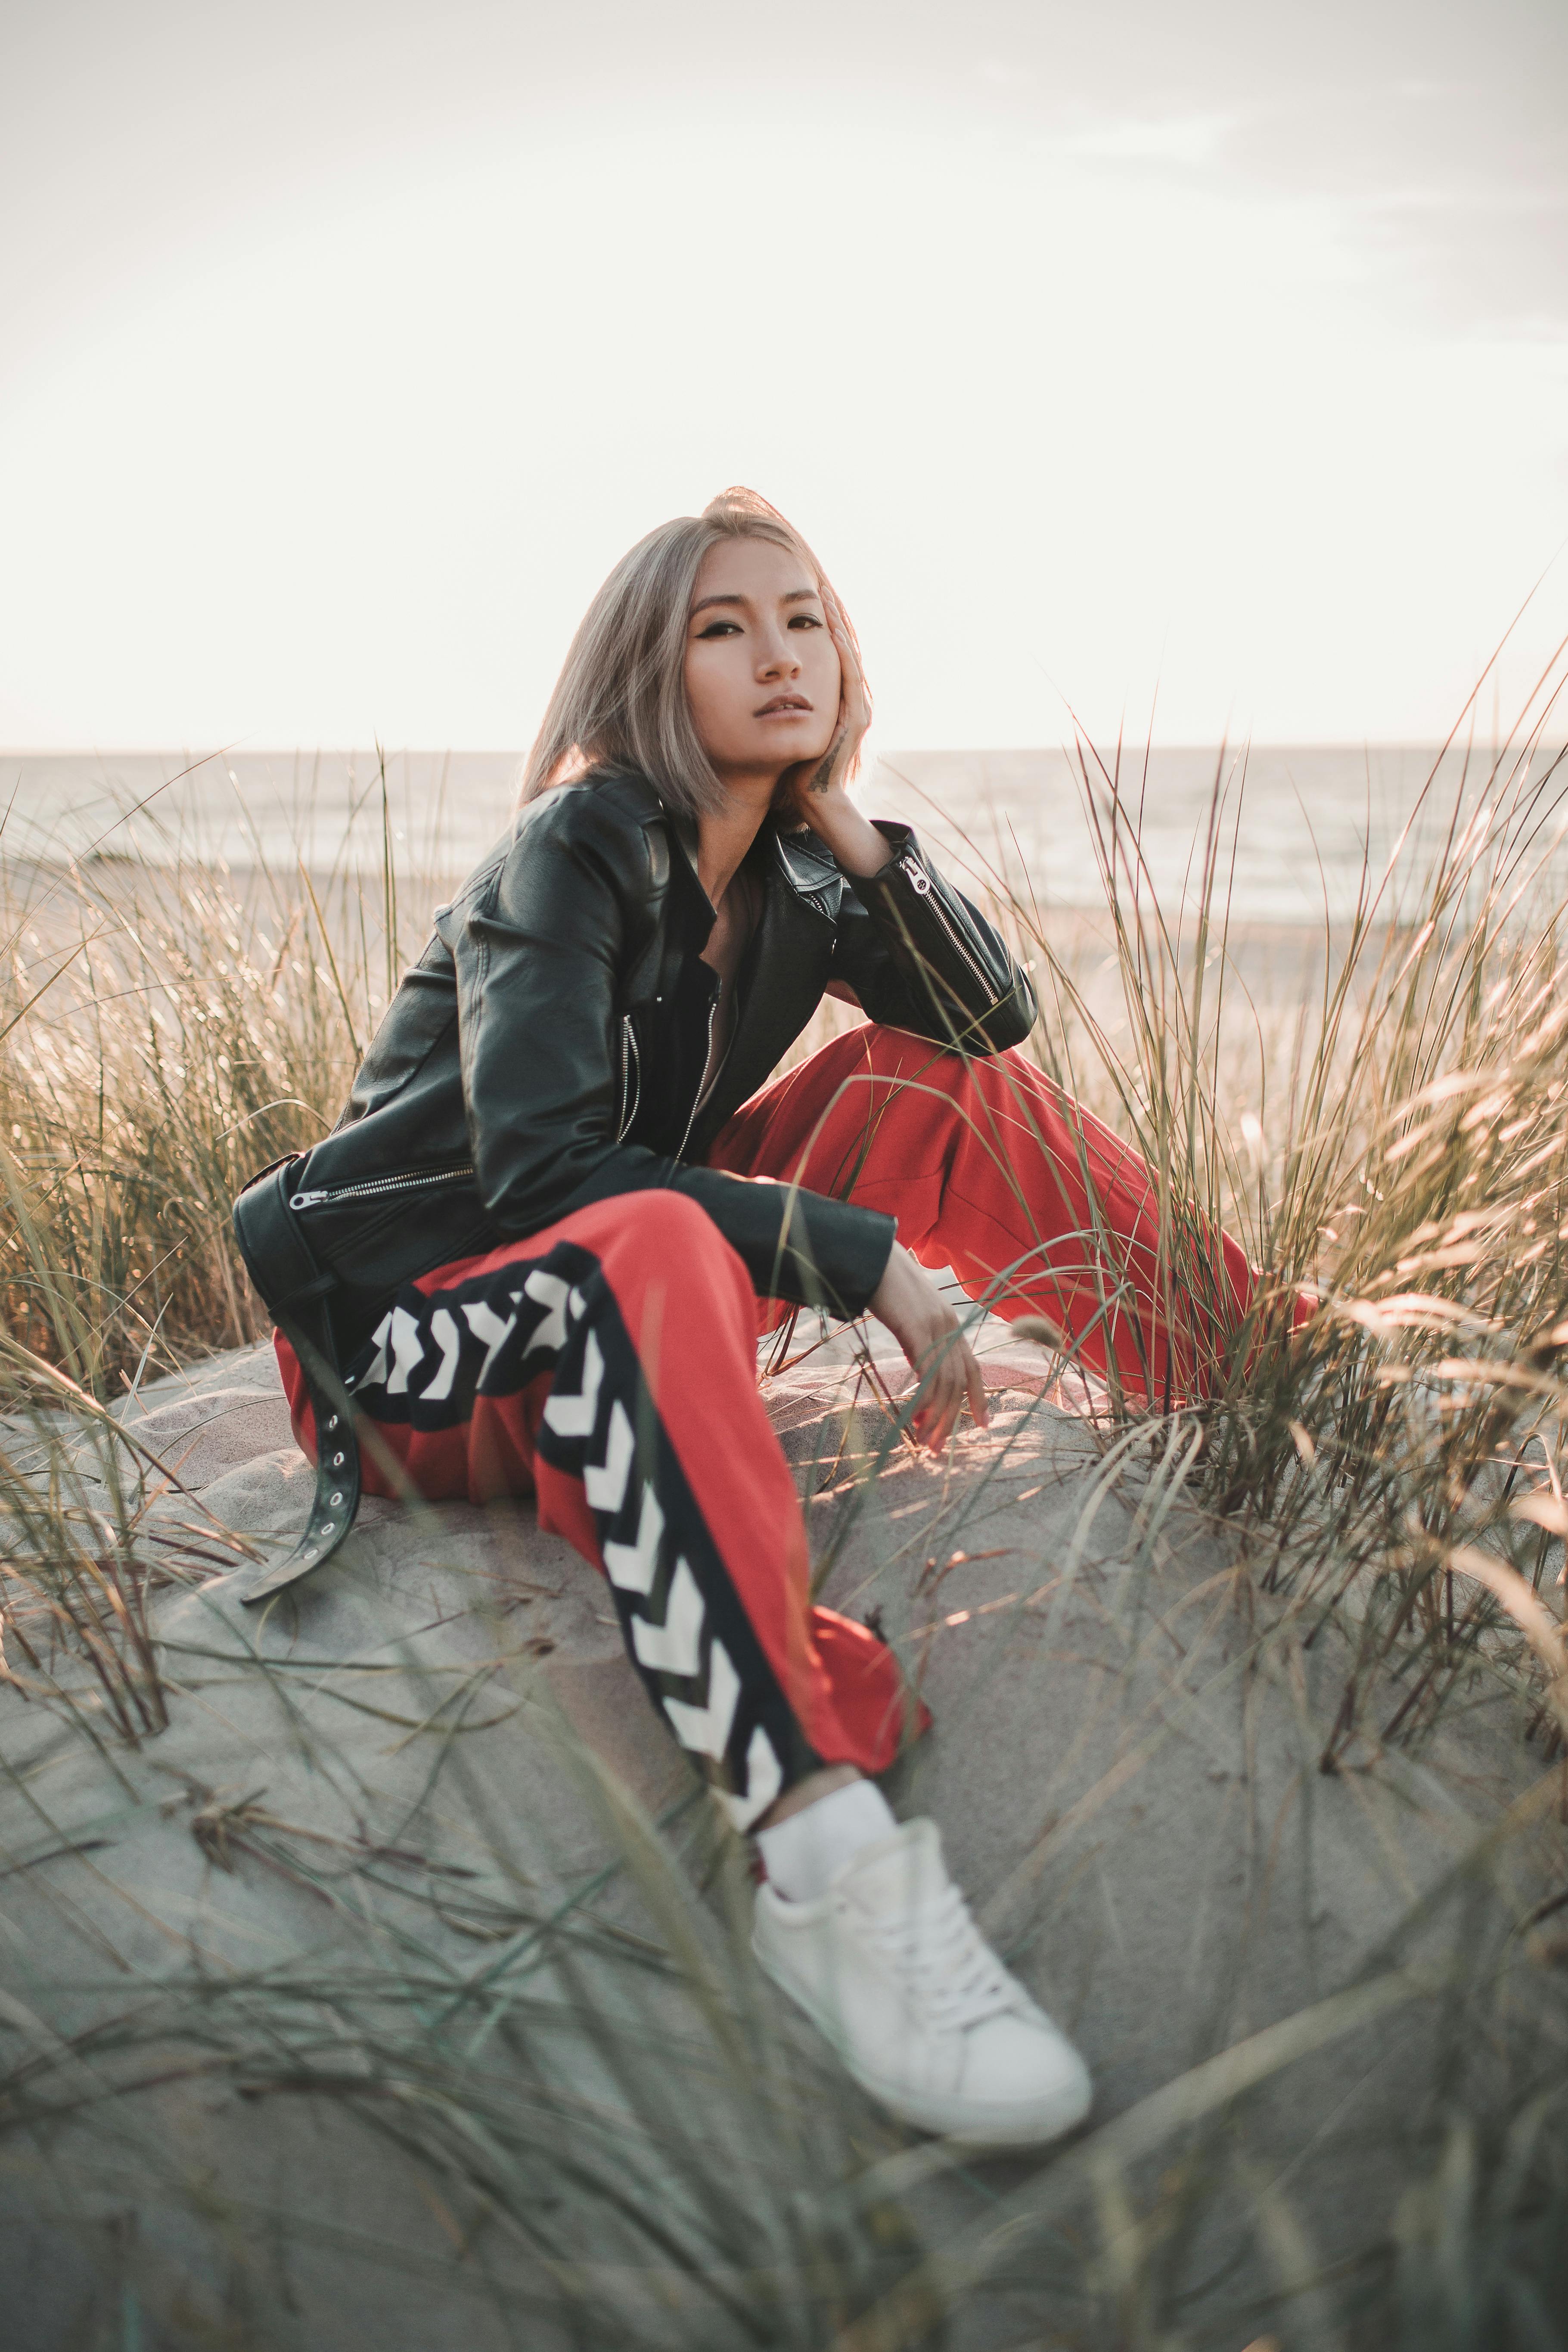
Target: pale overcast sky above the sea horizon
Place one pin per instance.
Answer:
(1099, 349)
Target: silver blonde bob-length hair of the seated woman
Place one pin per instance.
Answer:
(622, 695)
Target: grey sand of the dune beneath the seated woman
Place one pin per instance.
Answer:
(429, 1751)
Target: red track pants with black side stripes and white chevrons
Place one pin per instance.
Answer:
(610, 1368)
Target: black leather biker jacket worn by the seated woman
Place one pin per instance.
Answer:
(551, 1043)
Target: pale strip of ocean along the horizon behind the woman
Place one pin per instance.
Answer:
(1296, 822)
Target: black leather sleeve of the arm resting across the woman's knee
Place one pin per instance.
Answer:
(537, 958)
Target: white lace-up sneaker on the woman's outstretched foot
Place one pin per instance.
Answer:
(899, 1979)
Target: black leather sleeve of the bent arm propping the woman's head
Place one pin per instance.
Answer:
(923, 958)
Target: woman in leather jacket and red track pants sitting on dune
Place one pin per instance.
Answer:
(540, 1245)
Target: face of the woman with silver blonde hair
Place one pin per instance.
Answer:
(763, 674)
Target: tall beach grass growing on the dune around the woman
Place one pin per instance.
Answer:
(1393, 1140)
